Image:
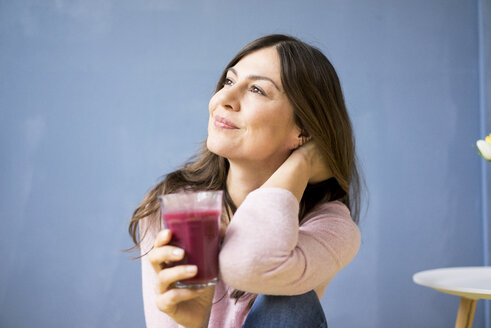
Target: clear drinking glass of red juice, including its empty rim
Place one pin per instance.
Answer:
(194, 219)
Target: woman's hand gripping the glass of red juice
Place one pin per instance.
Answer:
(188, 307)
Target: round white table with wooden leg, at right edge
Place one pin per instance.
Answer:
(470, 283)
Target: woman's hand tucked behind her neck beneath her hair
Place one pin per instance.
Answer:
(317, 168)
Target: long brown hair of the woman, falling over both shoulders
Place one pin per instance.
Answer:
(313, 88)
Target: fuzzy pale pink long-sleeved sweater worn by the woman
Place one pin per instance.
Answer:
(265, 251)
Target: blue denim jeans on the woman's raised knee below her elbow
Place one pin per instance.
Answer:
(299, 311)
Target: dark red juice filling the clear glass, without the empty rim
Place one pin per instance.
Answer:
(196, 232)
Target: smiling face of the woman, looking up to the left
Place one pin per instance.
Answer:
(251, 118)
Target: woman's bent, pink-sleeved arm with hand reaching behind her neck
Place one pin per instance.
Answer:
(265, 251)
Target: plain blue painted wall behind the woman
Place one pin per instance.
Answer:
(100, 98)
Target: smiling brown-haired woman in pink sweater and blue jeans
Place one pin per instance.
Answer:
(280, 145)
